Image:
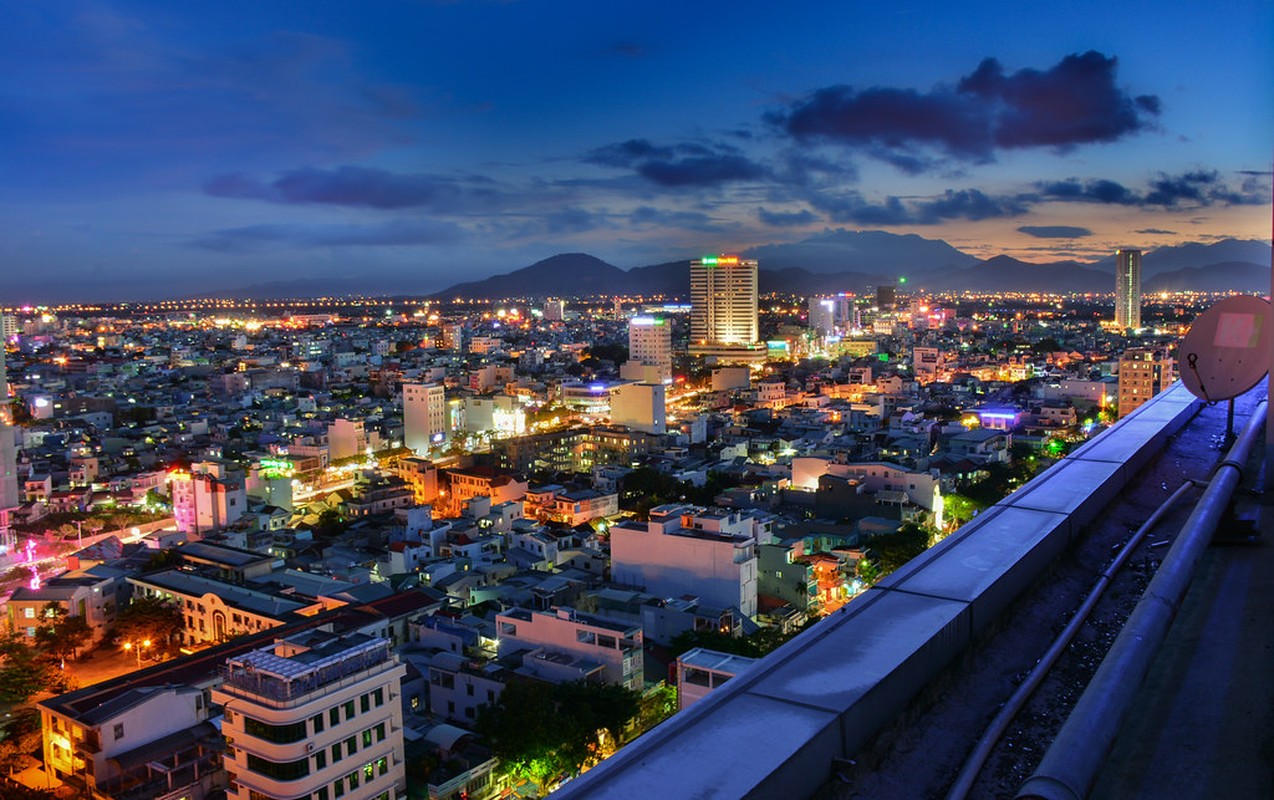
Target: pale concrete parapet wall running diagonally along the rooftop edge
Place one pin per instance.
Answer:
(777, 729)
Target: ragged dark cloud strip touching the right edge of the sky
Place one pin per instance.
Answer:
(1199, 188)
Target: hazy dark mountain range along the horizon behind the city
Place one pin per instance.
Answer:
(852, 262)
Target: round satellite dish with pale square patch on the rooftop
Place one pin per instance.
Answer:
(1226, 351)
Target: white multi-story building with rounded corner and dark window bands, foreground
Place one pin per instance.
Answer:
(315, 717)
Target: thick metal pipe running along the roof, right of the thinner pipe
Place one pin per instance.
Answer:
(1075, 760)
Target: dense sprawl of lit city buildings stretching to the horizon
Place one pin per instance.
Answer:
(370, 528)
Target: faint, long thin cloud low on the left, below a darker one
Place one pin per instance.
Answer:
(397, 234)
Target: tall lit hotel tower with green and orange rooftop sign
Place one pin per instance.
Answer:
(724, 309)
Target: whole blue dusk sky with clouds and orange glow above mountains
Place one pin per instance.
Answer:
(165, 150)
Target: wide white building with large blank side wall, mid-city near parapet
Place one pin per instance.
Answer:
(684, 551)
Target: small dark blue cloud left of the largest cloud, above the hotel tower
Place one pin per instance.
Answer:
(680, 166)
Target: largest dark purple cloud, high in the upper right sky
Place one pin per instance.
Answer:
(1073, 103)
